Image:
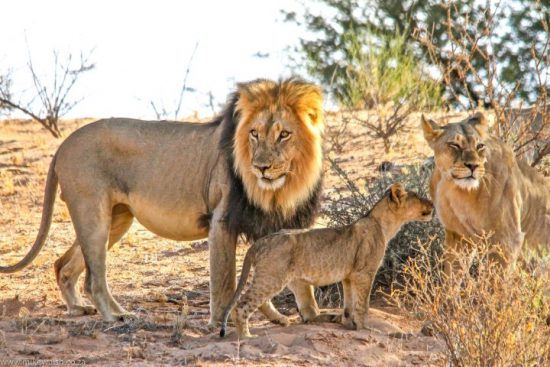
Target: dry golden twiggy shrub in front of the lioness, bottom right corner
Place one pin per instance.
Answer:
(487, 316)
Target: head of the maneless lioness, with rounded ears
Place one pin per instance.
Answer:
(460, 151)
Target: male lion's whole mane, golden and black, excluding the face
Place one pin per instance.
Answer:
(254, 212)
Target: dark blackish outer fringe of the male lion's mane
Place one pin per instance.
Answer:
(243, 217)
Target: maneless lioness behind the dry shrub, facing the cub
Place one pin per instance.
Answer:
(479, 188)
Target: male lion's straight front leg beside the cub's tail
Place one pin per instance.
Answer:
(223, 267)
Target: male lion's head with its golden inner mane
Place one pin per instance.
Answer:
(277, 144)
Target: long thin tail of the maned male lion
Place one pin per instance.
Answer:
(47, 211)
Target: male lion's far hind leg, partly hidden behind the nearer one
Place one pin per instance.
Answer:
(69, 266)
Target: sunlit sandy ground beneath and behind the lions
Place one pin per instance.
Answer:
(165, 283)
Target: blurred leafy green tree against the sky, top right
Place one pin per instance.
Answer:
(509, 30)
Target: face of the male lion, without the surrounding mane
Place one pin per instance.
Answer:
(272, 140)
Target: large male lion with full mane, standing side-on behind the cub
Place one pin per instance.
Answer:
(251, 171)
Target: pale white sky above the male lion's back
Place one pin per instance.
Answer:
(142, 48)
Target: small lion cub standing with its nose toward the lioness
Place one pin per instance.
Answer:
(351, 254)
